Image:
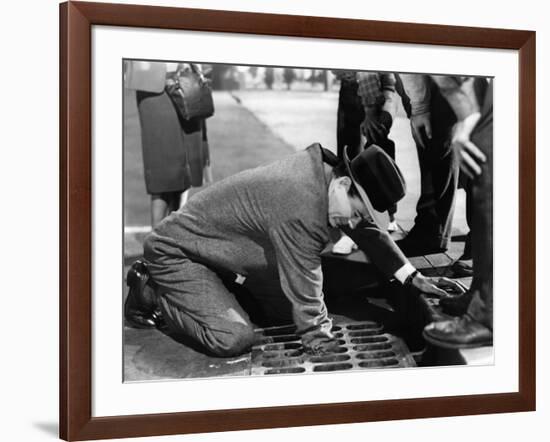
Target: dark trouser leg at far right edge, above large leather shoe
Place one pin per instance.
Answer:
(481, 307)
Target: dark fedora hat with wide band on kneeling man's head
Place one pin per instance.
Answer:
(377, 178)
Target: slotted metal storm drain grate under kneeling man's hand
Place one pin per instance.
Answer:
(362, 345)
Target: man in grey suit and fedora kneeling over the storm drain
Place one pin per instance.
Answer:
(268, 225)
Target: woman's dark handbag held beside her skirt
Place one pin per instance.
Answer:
(191, 94)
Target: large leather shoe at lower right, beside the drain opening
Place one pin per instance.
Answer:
(463, 332)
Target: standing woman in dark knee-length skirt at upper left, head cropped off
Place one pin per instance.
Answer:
(175, 151)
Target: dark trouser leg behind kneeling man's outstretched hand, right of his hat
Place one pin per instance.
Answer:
(438, 174)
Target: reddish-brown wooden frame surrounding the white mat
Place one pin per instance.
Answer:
(76, 21)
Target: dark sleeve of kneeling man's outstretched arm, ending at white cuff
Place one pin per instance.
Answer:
(379, 246)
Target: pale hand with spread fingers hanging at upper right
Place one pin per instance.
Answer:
(471, 158)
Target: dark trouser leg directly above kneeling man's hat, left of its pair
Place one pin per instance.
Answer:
(349, 118)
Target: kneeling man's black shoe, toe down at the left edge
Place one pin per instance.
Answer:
(140, 305)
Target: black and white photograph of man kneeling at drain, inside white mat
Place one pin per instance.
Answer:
(285, 220)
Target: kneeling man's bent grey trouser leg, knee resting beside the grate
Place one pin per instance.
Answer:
(195, 302)
